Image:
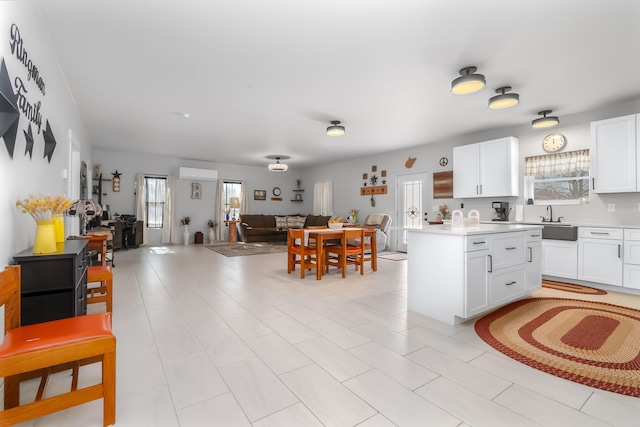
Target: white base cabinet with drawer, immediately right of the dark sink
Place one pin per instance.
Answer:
(600, 255)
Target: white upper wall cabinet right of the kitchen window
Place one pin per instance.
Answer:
(615, 155)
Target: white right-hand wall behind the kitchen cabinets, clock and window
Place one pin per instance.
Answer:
(347, 175)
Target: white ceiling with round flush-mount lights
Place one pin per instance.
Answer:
(261, 78)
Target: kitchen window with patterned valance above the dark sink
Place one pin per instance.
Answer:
(561, 178)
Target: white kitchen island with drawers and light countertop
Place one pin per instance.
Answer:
(458, 273)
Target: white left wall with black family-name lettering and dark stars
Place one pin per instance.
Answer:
(23, 176)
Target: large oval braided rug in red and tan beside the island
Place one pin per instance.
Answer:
(591, 343)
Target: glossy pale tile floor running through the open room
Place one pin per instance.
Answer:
(205, 340)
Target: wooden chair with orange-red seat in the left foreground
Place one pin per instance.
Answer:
(41, 349)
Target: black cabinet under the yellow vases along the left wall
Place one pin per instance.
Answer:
(54, 286)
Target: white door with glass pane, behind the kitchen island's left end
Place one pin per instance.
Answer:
(415, 196)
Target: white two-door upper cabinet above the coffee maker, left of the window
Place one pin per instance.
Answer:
(486, 169)
